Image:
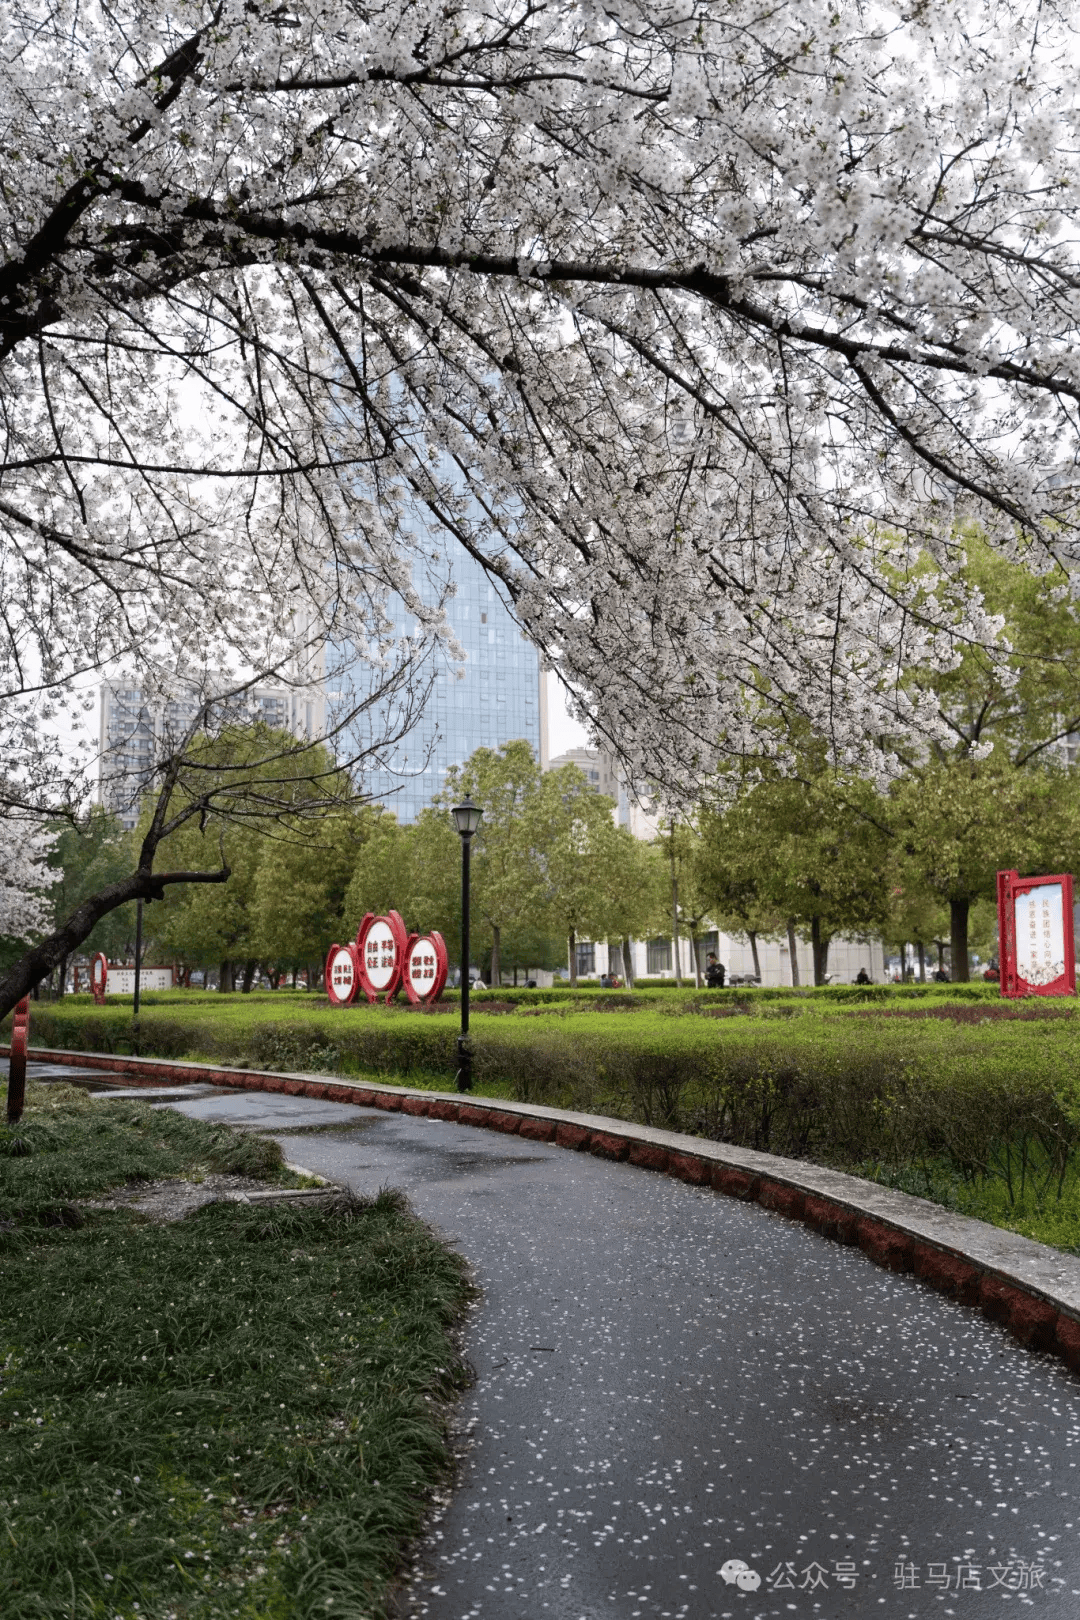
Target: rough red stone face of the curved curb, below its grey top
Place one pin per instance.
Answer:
(1035, 1321)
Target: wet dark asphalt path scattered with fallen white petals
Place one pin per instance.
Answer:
(670, 1381)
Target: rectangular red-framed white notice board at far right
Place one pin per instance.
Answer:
(1035, 936)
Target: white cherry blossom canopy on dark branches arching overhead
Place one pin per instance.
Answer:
(691, 322)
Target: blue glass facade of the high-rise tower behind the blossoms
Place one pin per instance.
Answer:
(483, 704)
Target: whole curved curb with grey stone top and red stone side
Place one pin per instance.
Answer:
(1023, 1285)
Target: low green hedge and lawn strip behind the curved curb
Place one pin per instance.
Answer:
(946, 1091)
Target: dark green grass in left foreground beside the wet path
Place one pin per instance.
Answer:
(231, 1415)
